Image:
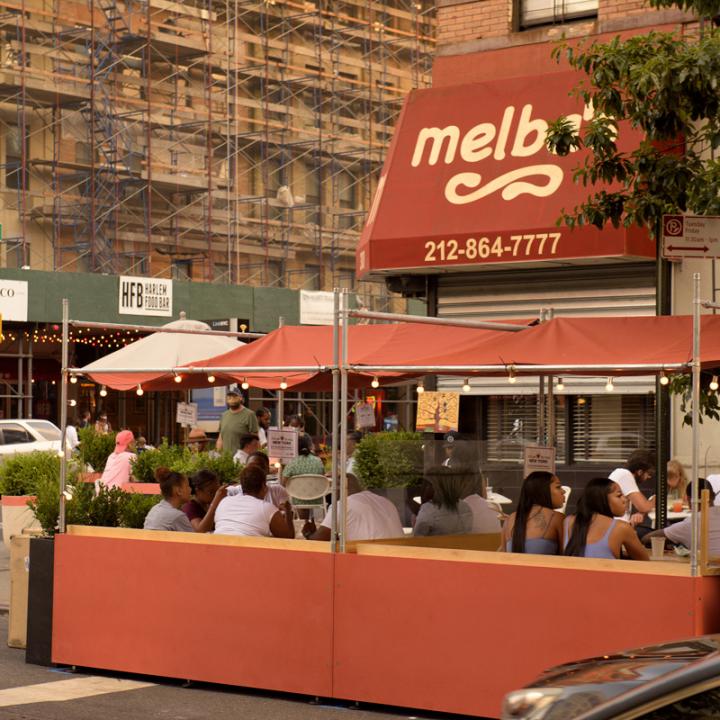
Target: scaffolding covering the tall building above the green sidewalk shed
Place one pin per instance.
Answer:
(230, 141)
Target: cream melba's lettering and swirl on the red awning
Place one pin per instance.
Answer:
(485, 140)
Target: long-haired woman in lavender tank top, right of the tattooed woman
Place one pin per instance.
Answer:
(596, 530)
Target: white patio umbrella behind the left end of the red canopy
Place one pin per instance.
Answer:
(161, 350)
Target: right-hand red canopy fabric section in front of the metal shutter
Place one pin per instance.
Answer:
(618, 341)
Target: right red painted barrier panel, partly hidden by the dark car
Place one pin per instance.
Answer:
(457, 636)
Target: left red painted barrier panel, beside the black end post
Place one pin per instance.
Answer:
(240, 616)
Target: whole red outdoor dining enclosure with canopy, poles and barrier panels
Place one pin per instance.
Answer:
(440, 628)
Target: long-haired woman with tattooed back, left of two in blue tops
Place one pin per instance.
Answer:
(535, 527)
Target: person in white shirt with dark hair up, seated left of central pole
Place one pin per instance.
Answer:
(249, 514)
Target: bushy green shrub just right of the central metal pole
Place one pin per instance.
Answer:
(389, 459)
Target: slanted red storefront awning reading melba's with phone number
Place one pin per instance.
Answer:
(467, 183)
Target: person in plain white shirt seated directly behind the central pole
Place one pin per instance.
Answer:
(369, 517)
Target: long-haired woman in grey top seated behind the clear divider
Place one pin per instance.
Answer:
(447, 513)
